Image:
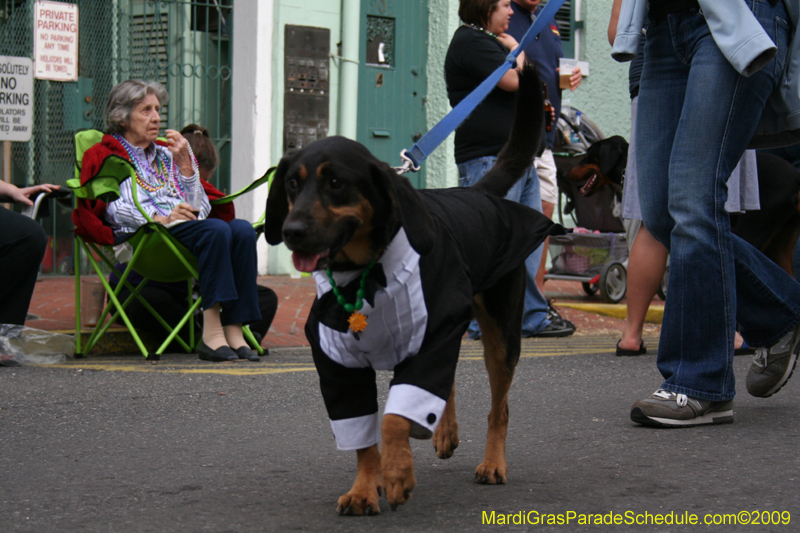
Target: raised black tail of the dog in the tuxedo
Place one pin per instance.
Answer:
(526, 140)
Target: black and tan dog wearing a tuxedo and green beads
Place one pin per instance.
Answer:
(400, 273)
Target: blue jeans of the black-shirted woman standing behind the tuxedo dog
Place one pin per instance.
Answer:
(527, 192)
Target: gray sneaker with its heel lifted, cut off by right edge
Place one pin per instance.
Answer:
(772, 367)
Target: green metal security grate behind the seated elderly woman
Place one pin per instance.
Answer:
(186, 45)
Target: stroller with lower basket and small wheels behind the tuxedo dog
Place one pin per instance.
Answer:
(596, 252)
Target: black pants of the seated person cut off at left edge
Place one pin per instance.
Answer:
(22, 246)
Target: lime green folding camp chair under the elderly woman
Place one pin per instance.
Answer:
(157, 255)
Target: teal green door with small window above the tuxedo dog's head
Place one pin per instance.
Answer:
(392, 81)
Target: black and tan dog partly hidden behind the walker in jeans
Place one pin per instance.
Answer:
(773, 229)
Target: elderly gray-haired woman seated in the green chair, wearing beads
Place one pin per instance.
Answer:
(171, 193)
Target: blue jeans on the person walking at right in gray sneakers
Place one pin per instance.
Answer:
(696, 116)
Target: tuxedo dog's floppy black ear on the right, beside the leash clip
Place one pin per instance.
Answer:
(407, 203)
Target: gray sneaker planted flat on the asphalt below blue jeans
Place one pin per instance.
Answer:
(666, 409)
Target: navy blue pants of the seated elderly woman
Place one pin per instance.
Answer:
(226, 261)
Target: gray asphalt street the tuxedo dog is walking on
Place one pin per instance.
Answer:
(120, 444)
